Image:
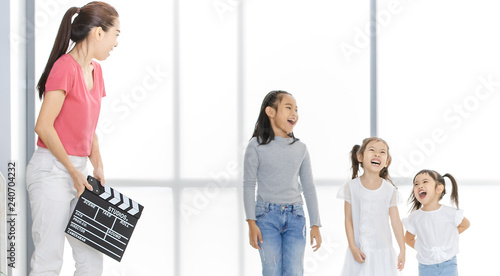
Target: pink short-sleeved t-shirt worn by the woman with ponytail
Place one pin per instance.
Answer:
(77, 120)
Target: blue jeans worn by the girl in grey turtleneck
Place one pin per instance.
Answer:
(283, 229)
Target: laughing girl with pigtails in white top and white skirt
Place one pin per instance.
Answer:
(370, 201)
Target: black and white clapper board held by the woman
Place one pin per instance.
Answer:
(104, 219)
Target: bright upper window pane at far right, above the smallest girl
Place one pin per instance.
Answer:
(438, 87)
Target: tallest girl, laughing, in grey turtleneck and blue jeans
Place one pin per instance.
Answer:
(275, 159)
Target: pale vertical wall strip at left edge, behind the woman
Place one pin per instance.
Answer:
(13, 122)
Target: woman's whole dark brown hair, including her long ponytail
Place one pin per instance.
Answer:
(94, 14)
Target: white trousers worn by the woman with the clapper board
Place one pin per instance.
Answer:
(53, 197)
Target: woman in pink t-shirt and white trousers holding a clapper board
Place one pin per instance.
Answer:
(71, 87)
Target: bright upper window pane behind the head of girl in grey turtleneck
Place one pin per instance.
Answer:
(311, 51)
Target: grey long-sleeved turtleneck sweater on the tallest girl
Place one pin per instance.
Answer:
(276, 167)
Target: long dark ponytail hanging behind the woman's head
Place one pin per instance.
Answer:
(60, 47)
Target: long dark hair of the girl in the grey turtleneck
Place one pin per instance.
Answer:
(263, 129)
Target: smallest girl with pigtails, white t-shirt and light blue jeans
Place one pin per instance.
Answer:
(432, 229)
